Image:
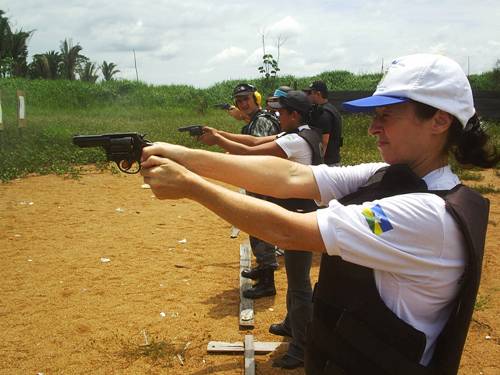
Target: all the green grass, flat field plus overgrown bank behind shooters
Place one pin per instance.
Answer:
(57, 110)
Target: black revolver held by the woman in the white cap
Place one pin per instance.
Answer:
(124, 149)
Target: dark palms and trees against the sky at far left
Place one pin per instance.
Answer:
(67, 63)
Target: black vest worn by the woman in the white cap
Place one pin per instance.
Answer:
(354, 332)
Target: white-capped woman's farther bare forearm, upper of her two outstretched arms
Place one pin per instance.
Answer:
(266, 175)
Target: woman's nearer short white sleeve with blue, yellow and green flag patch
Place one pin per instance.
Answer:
(404, 233)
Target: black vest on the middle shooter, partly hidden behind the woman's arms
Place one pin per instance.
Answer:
(313, 138)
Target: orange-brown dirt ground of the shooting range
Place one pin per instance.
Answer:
(99, 277)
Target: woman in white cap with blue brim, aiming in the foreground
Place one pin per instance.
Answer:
(402, 240)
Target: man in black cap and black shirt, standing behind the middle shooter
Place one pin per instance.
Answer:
(330, 122)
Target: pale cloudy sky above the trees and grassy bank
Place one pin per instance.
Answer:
(206, 41)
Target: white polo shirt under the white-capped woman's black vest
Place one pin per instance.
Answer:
(413, 244)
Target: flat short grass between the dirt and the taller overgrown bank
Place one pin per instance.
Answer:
(45, 146)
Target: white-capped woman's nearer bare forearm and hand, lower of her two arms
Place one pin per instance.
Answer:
(274, 224)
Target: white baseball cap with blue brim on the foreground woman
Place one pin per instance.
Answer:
(434, 80)
